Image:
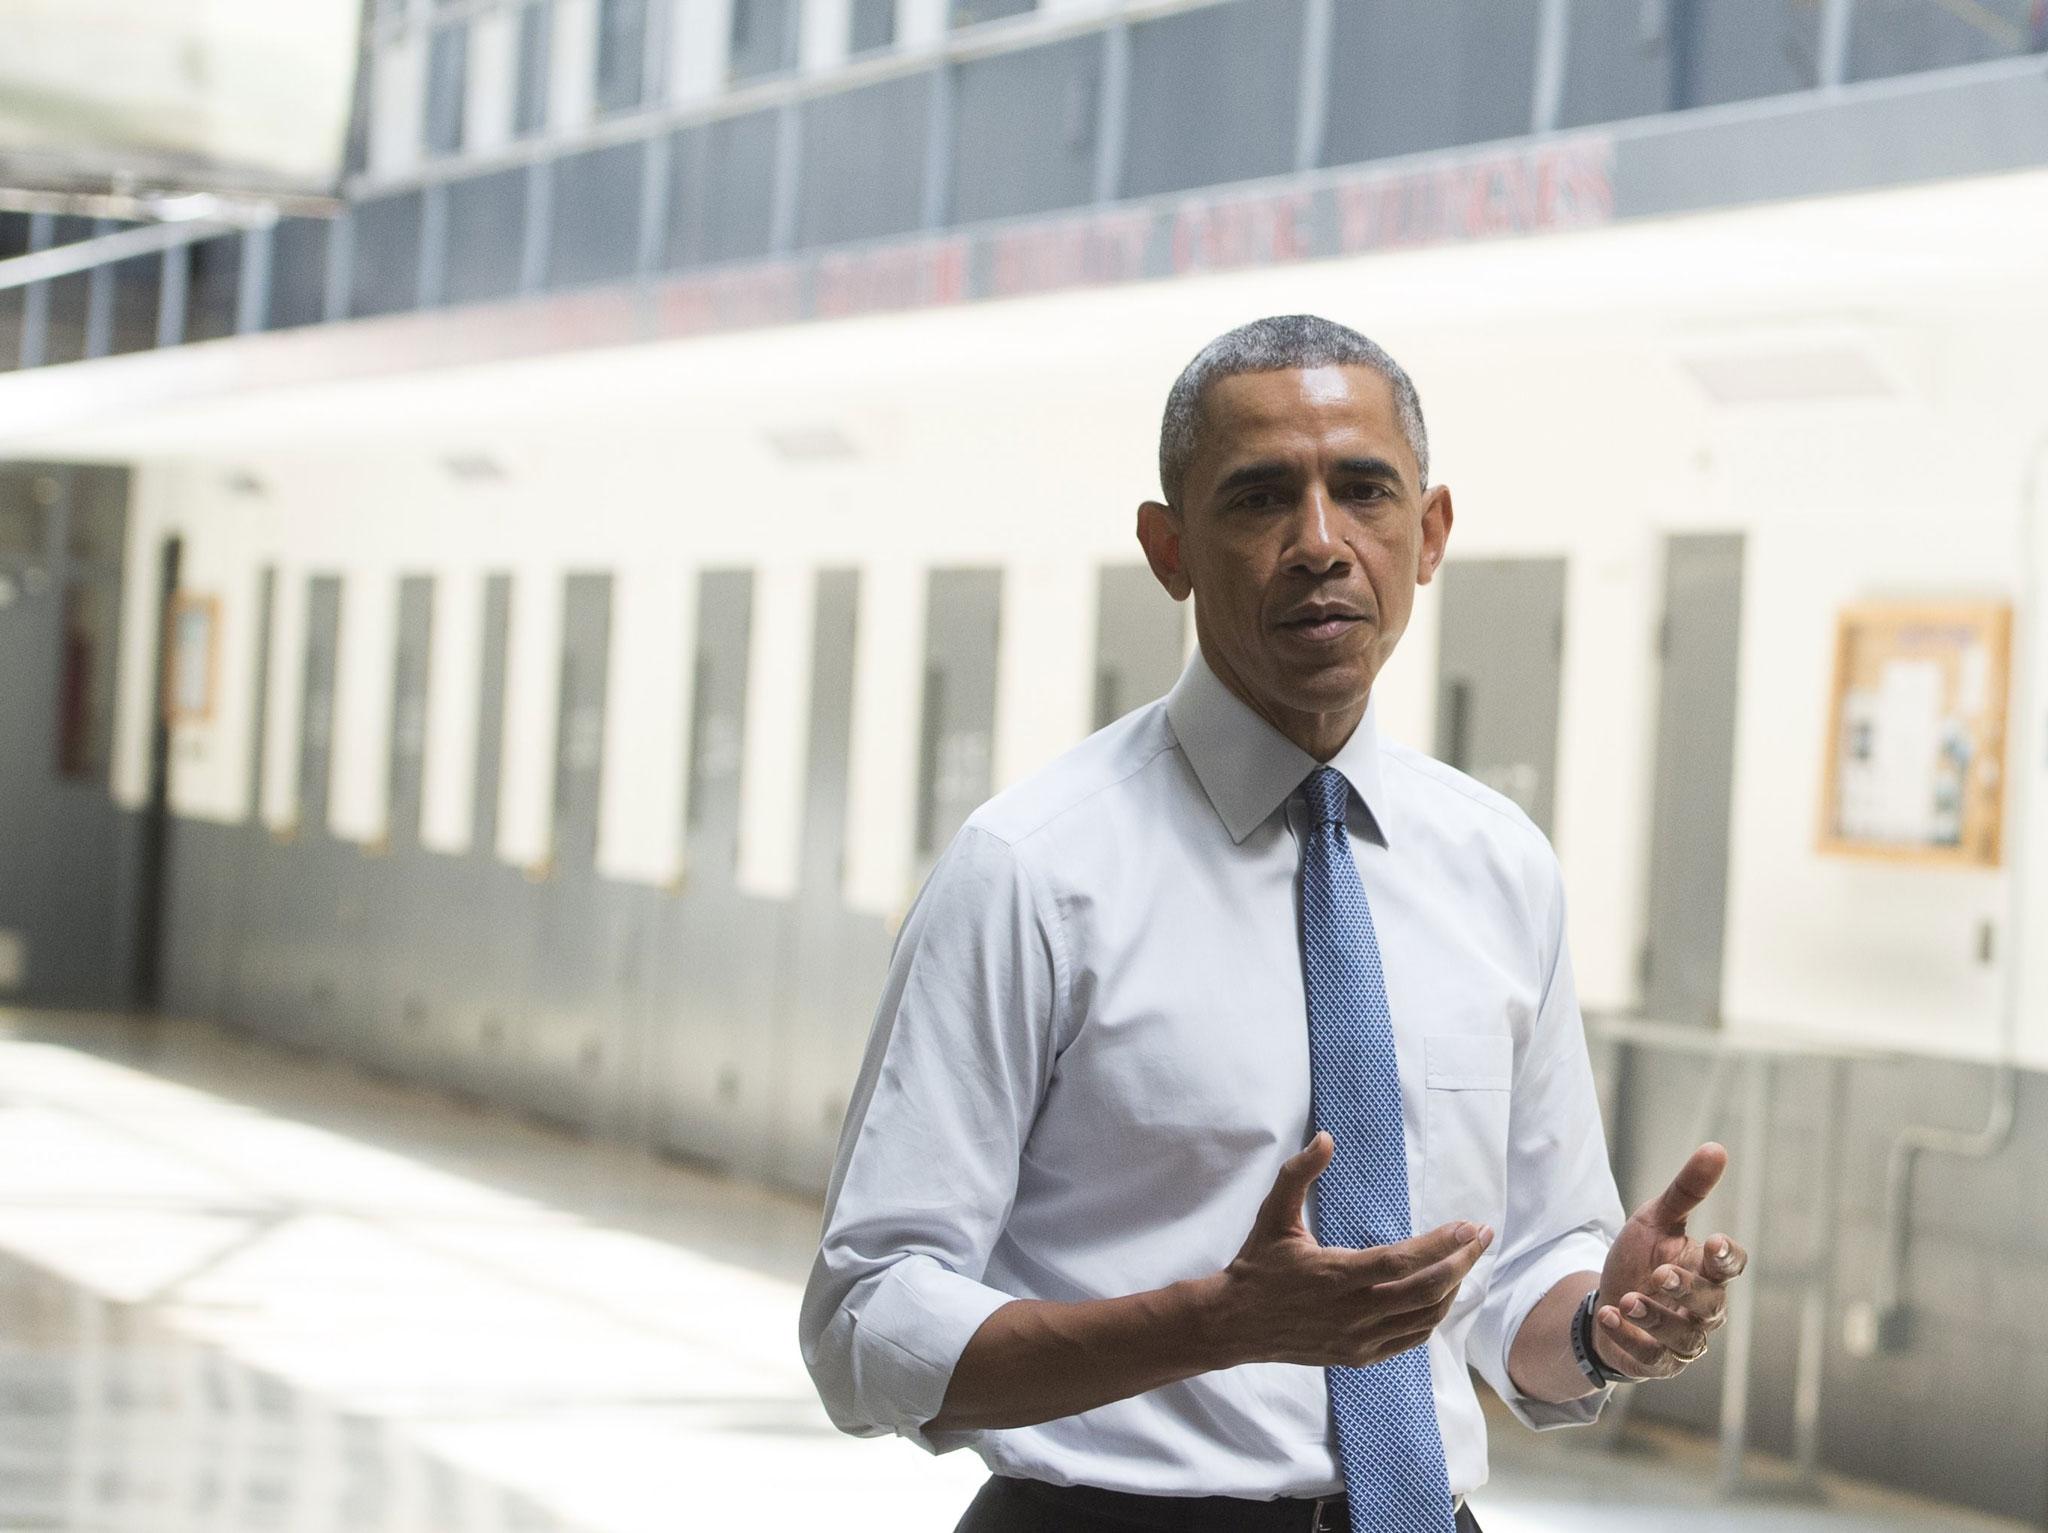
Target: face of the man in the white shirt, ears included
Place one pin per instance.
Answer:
(1304, 533)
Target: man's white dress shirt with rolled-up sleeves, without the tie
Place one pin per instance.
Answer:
(1093, 1057)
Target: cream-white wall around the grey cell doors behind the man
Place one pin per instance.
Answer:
(1572, 439)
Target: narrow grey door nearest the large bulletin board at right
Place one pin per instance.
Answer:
(1695, 773)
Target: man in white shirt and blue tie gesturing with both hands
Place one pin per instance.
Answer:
(1068, 1219)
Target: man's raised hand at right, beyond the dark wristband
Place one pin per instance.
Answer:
(1664, 1295)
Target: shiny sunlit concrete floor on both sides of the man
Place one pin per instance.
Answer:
(243, 1290)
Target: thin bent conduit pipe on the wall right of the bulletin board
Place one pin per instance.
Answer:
(2000, 1114)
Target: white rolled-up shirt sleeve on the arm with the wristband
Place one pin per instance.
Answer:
(1564, 1211)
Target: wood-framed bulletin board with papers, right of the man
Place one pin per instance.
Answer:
(1916, 760)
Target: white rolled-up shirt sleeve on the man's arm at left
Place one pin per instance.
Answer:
(957, 1063)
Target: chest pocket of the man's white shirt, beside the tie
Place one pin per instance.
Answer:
(1465, 1129)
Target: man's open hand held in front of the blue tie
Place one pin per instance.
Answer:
(1289, 1301)
